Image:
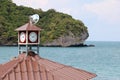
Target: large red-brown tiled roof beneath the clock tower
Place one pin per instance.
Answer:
(32, 67)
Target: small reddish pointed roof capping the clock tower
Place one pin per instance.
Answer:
(28, 27)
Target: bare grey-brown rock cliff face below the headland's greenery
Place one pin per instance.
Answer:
(69, 40)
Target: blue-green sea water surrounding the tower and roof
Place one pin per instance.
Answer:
(103, 59)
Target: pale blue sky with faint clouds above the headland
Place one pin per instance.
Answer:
(102, 17)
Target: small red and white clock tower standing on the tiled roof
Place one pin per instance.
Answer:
(28, 37)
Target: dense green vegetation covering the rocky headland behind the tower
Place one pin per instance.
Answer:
(53, 23)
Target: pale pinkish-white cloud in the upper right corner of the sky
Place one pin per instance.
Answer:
(107, 10)
